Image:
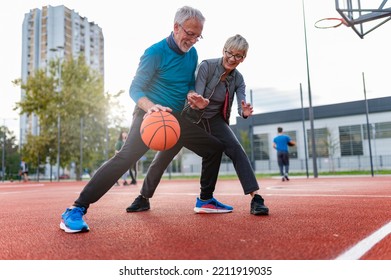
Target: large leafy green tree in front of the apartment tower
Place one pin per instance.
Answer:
(76, 97)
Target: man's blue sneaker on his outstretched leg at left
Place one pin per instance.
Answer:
(72, 220)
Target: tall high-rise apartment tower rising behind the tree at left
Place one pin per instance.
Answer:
(54, 33)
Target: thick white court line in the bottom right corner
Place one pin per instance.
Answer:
(362, 247)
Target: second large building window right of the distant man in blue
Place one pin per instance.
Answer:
(350, 138)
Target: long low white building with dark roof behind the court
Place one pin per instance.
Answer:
(340, 133)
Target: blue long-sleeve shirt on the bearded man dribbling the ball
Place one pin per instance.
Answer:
(164, 76)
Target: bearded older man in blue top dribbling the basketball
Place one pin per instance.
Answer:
(164, 78)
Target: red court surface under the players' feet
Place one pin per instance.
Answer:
(310, 219)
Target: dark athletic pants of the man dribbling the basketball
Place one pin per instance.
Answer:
(192, 137)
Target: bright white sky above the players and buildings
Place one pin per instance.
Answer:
(274, 68)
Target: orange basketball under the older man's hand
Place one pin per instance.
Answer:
(160, 131)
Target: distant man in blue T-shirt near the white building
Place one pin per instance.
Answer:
(281, 143)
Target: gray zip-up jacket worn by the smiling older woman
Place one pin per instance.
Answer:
(209, 73)
